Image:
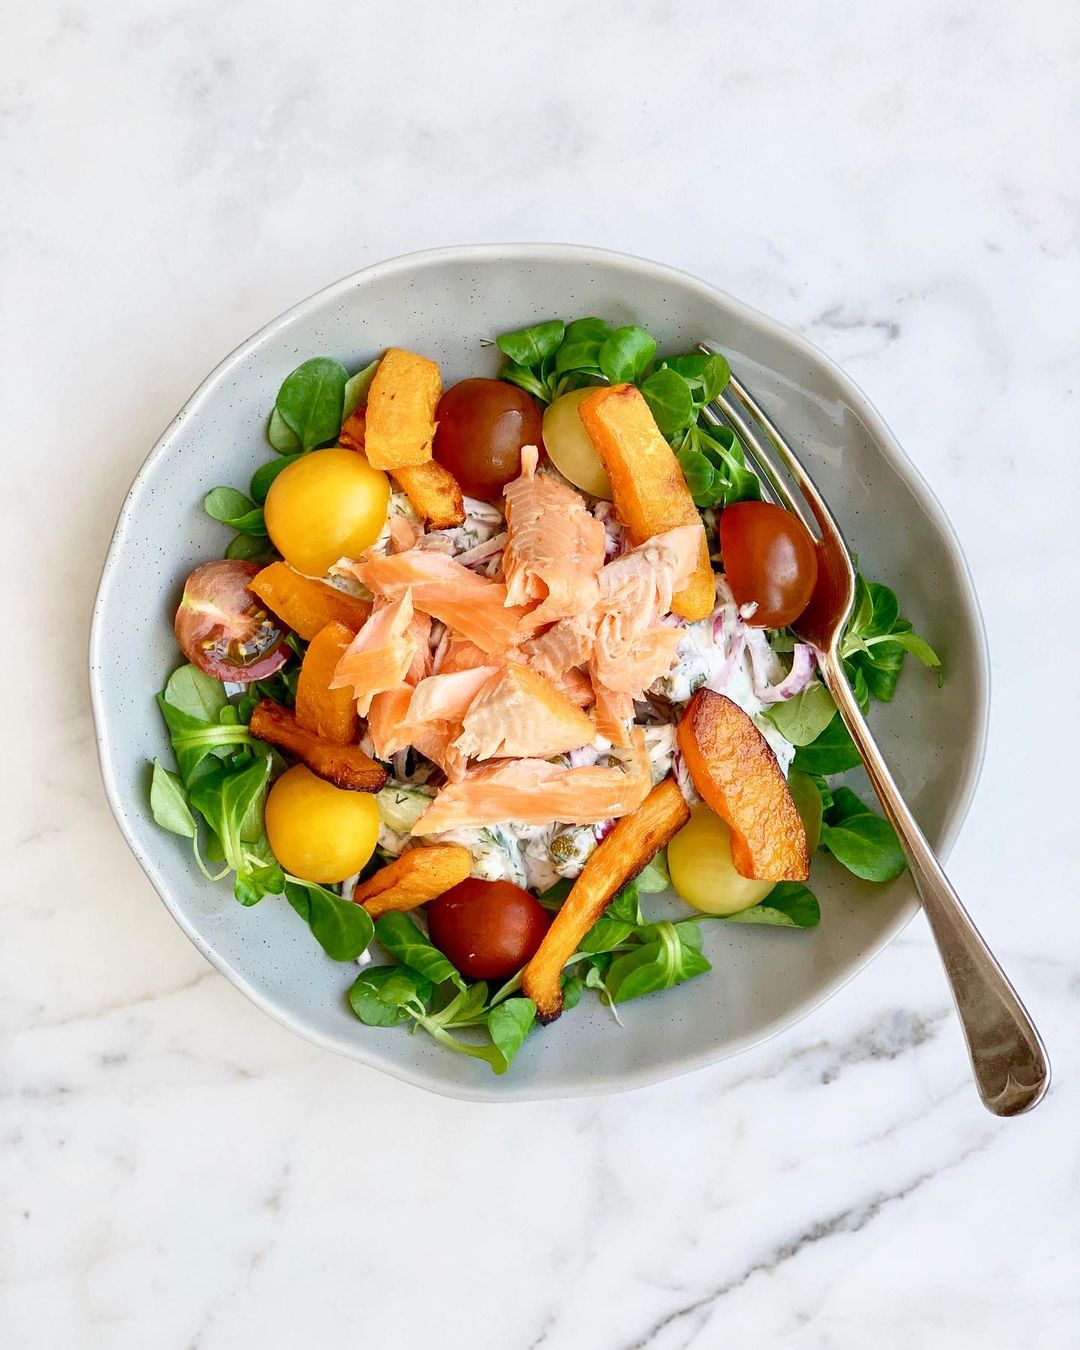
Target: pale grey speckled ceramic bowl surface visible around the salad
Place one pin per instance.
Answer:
(445, 303)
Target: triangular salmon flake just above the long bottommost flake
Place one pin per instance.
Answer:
(519, 715)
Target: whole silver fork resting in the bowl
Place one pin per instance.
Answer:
(1009, 1060)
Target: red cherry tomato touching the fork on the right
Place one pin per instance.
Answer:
(770, 560)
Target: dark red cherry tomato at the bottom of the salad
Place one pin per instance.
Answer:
(488, 929)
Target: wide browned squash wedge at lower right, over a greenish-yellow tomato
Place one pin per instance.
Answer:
(735, 770)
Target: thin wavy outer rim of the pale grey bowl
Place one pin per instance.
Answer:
(506, 1090)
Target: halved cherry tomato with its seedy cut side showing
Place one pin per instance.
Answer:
(225, 630)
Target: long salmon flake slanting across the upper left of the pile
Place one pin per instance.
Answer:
(473, 605)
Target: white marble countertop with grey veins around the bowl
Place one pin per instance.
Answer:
(898, 183)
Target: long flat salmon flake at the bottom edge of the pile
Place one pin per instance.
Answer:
(534, 792)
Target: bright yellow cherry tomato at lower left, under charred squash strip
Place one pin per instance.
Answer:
(321, 832)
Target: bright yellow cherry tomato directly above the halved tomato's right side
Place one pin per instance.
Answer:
(327, 506)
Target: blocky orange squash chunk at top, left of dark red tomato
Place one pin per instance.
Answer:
(400, 418)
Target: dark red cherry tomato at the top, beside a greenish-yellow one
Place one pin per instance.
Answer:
(483, 427)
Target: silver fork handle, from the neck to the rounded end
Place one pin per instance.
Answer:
(1008, 1056)
